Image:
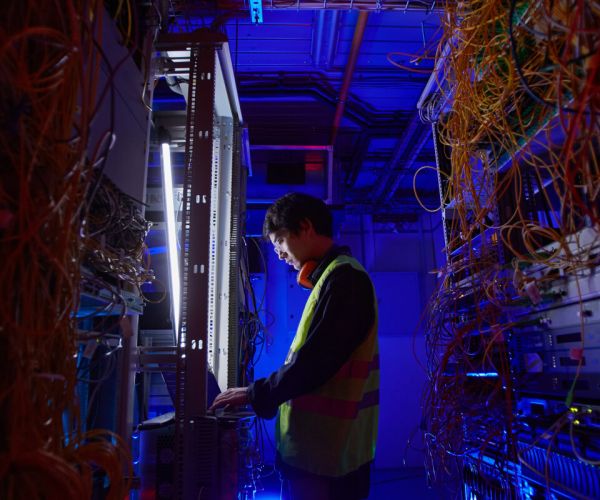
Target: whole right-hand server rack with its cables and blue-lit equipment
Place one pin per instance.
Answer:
(512, 406)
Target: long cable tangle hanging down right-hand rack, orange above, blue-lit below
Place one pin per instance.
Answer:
(521, 138)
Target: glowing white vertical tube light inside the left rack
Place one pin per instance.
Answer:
(169, 202)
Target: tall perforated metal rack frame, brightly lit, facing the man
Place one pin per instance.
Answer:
(213, 200)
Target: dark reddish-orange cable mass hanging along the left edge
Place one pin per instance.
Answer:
(49, 67)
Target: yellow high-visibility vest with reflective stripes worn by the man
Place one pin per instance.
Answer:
(332, 430)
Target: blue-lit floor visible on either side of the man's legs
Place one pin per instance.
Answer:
(386, 484)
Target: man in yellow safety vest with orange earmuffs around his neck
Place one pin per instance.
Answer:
(327, 392)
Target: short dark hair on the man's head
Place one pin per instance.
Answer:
(291, 209)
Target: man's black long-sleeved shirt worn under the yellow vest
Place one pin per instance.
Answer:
(343, 316)
